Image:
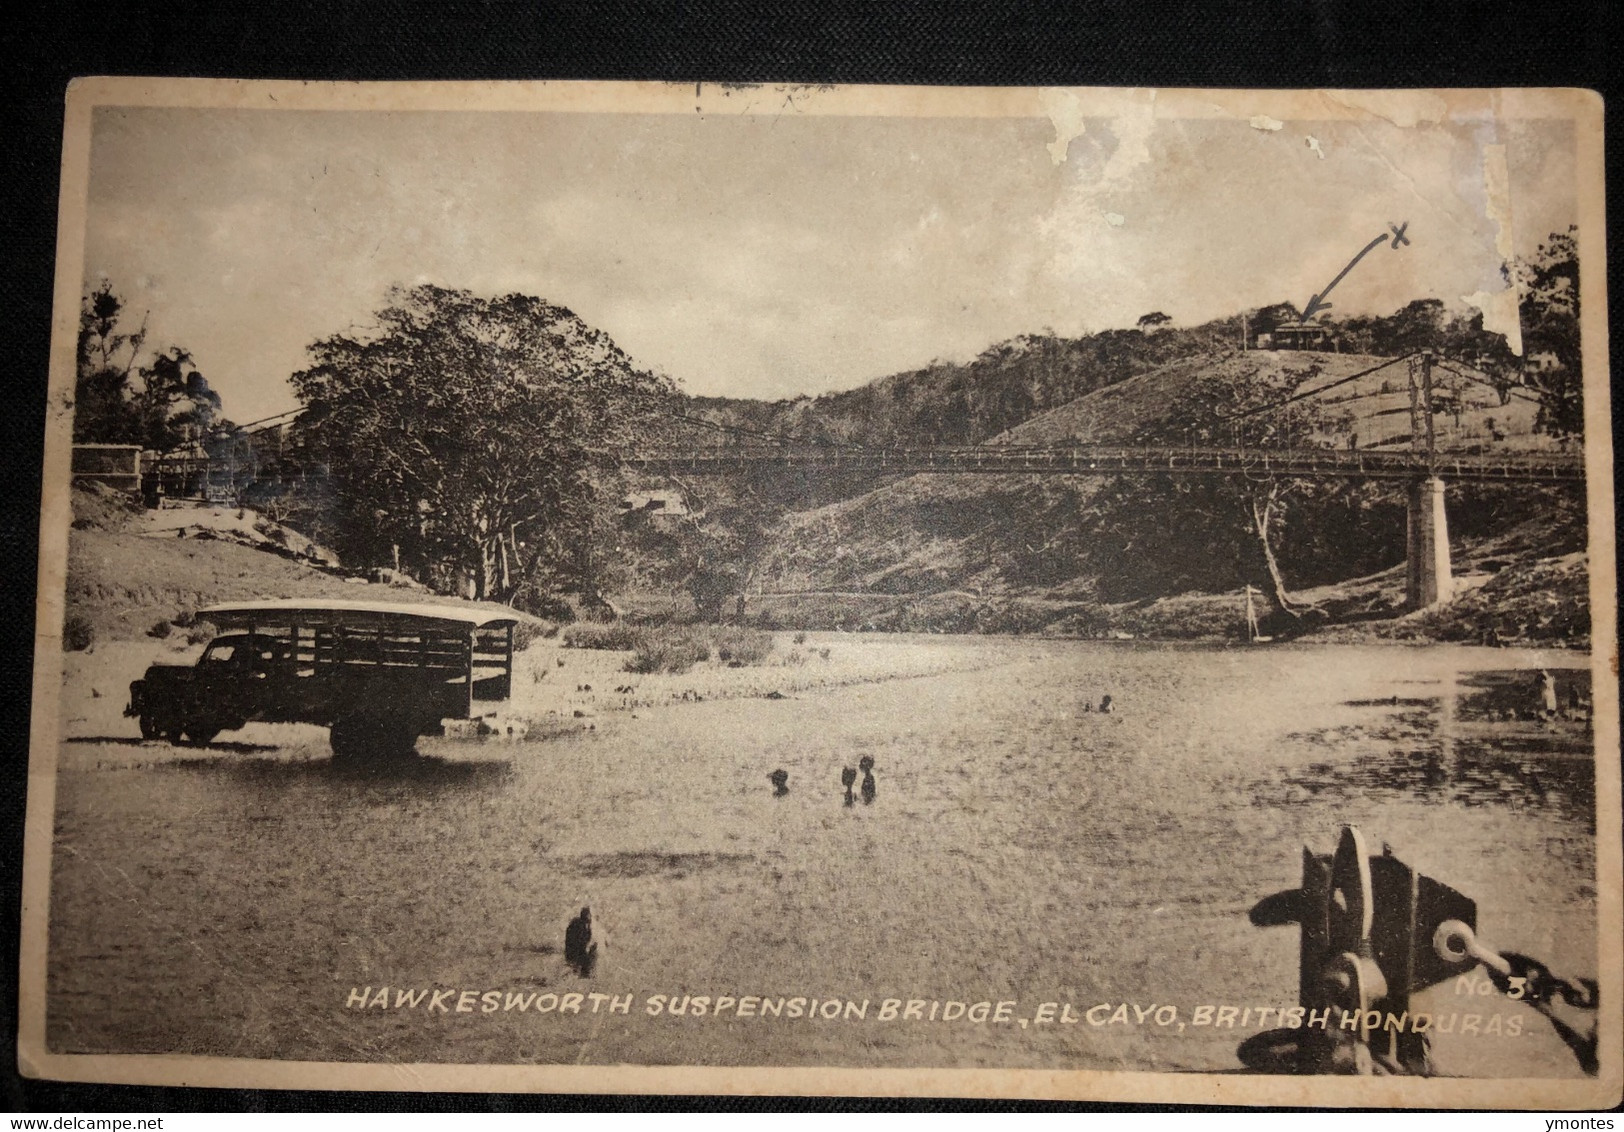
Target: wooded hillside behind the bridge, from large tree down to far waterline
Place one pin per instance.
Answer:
(1144, 555)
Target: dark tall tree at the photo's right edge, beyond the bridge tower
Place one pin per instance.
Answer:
(1548, 309)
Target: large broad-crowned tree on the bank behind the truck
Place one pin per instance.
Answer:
(467, 433)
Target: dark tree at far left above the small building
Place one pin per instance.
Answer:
(171, 402)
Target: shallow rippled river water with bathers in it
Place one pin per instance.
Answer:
(1021, 847)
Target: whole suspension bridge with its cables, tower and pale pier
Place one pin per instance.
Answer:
(1420, 433)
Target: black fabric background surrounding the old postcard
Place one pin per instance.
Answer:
(1102, 43)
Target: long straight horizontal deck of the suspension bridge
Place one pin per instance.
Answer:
(1095, 460)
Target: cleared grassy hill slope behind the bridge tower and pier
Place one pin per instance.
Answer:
(1022, 553)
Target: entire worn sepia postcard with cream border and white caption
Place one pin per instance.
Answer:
(829, 590)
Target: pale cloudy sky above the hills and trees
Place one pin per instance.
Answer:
(774, 256)
